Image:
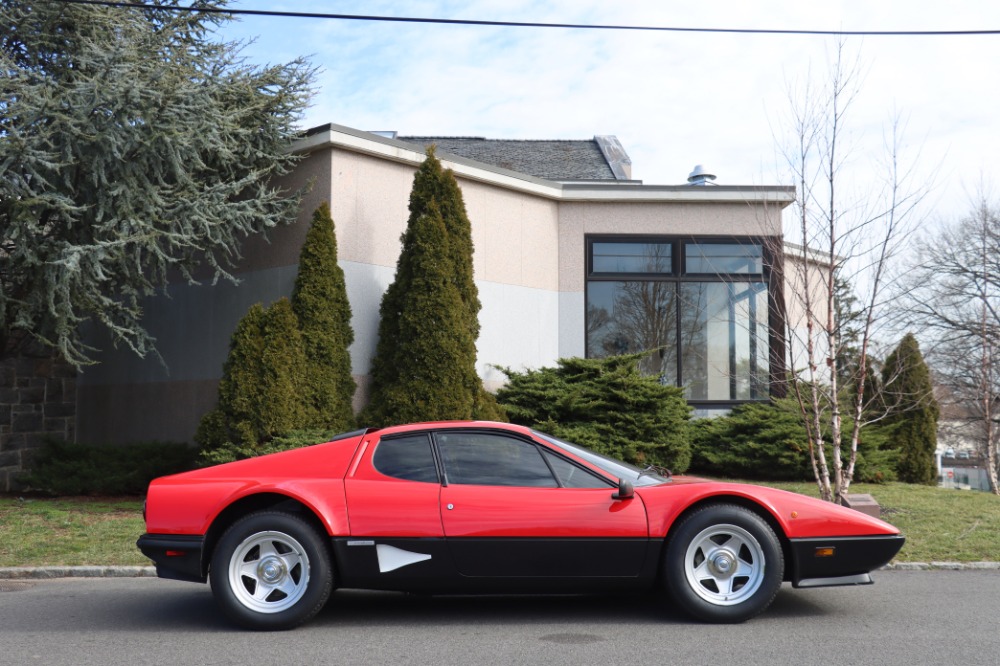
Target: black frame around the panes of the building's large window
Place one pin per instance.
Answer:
(771, 274)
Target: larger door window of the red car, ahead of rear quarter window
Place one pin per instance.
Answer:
(484, 459)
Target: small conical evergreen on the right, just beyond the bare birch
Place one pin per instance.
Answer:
(912, 411)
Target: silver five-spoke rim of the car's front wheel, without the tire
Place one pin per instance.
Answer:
(724, 565)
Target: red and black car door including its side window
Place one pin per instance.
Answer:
(505, 513)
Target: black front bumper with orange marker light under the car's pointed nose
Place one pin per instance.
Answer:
(841, 560)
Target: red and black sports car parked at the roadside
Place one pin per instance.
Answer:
(465, 507)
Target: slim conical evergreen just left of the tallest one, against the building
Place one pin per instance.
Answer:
(324, 313)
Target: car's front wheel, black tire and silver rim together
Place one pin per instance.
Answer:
(723, 564)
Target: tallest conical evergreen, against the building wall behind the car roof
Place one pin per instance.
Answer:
(425, 362)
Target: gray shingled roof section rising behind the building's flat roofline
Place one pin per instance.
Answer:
(549, 159)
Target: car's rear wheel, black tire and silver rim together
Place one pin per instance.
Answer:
(271, 571)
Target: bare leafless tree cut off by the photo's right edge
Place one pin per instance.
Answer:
(954, 295)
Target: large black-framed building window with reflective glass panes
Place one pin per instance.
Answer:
(699, 305)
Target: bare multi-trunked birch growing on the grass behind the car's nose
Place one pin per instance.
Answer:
(839, 236)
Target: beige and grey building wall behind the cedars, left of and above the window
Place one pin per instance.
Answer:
(529, 266)
